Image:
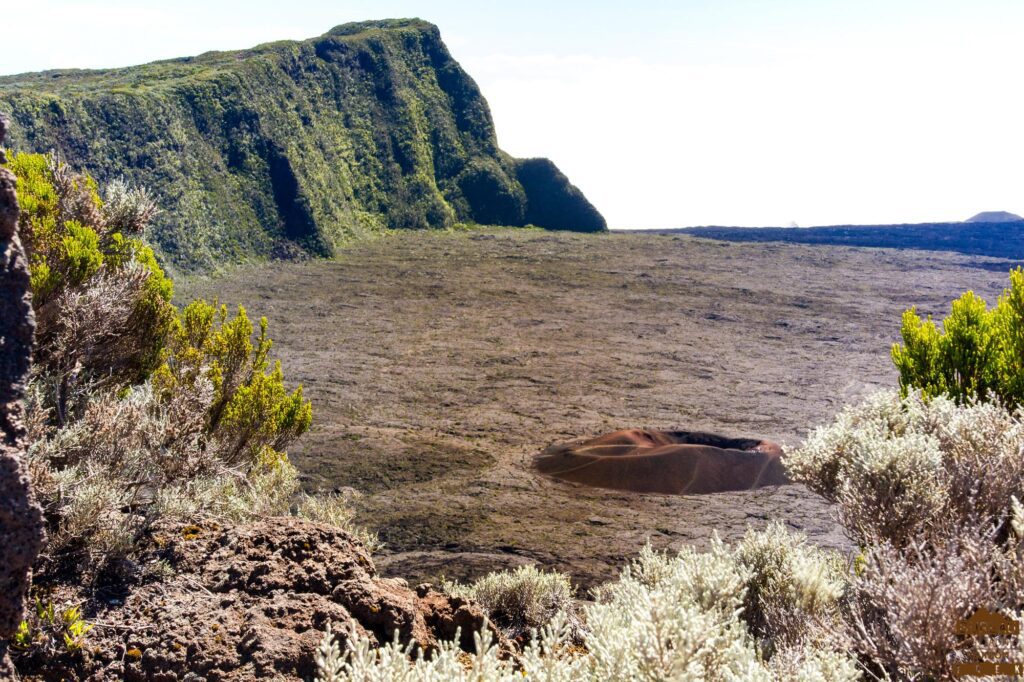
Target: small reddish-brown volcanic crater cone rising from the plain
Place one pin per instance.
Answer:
(668, 462)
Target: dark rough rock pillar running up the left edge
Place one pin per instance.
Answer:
(21, 518)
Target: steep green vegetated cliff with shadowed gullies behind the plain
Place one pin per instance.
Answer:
(295, 147)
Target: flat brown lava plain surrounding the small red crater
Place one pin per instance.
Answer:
(439, 364)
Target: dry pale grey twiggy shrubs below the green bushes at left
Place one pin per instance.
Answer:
(133, 459)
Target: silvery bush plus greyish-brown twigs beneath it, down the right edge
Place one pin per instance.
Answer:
(930, 492)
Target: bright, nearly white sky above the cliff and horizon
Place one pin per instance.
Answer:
(671, 114)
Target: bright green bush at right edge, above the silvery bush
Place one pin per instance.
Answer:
(978, 354)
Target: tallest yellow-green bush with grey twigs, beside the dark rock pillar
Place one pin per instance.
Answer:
(103, 304)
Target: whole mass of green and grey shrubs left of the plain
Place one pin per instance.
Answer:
(140, 413)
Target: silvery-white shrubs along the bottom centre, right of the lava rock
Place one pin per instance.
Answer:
(691, 617)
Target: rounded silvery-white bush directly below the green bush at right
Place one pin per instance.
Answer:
(900, 467)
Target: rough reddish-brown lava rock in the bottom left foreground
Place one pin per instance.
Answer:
(251, 603)
